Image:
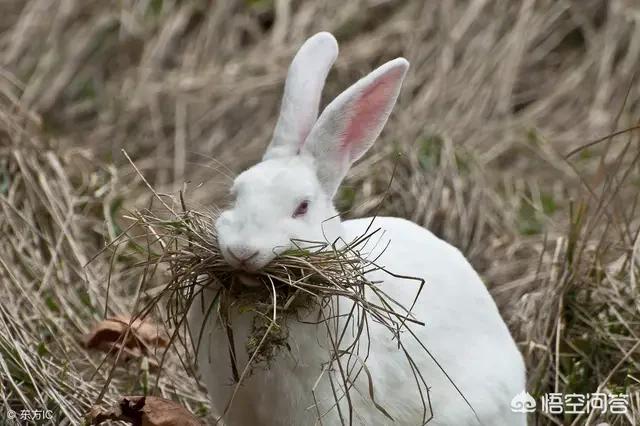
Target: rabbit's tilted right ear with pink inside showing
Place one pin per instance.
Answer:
(351, 123)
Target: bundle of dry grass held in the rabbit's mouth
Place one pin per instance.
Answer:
(309, 277)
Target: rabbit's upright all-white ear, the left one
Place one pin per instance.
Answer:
(302, 92)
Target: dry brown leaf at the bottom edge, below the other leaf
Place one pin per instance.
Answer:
(145, 411)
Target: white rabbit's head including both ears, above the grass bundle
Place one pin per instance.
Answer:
(288, 196)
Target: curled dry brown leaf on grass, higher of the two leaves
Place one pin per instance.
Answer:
(108, 336)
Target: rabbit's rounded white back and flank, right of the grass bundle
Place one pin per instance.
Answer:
(464, 333)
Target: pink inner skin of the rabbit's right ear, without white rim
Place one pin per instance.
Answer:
(367, 111)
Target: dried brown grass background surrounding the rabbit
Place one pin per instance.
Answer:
(498, 94)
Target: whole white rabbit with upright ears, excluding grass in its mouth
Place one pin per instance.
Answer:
(289, 196)
